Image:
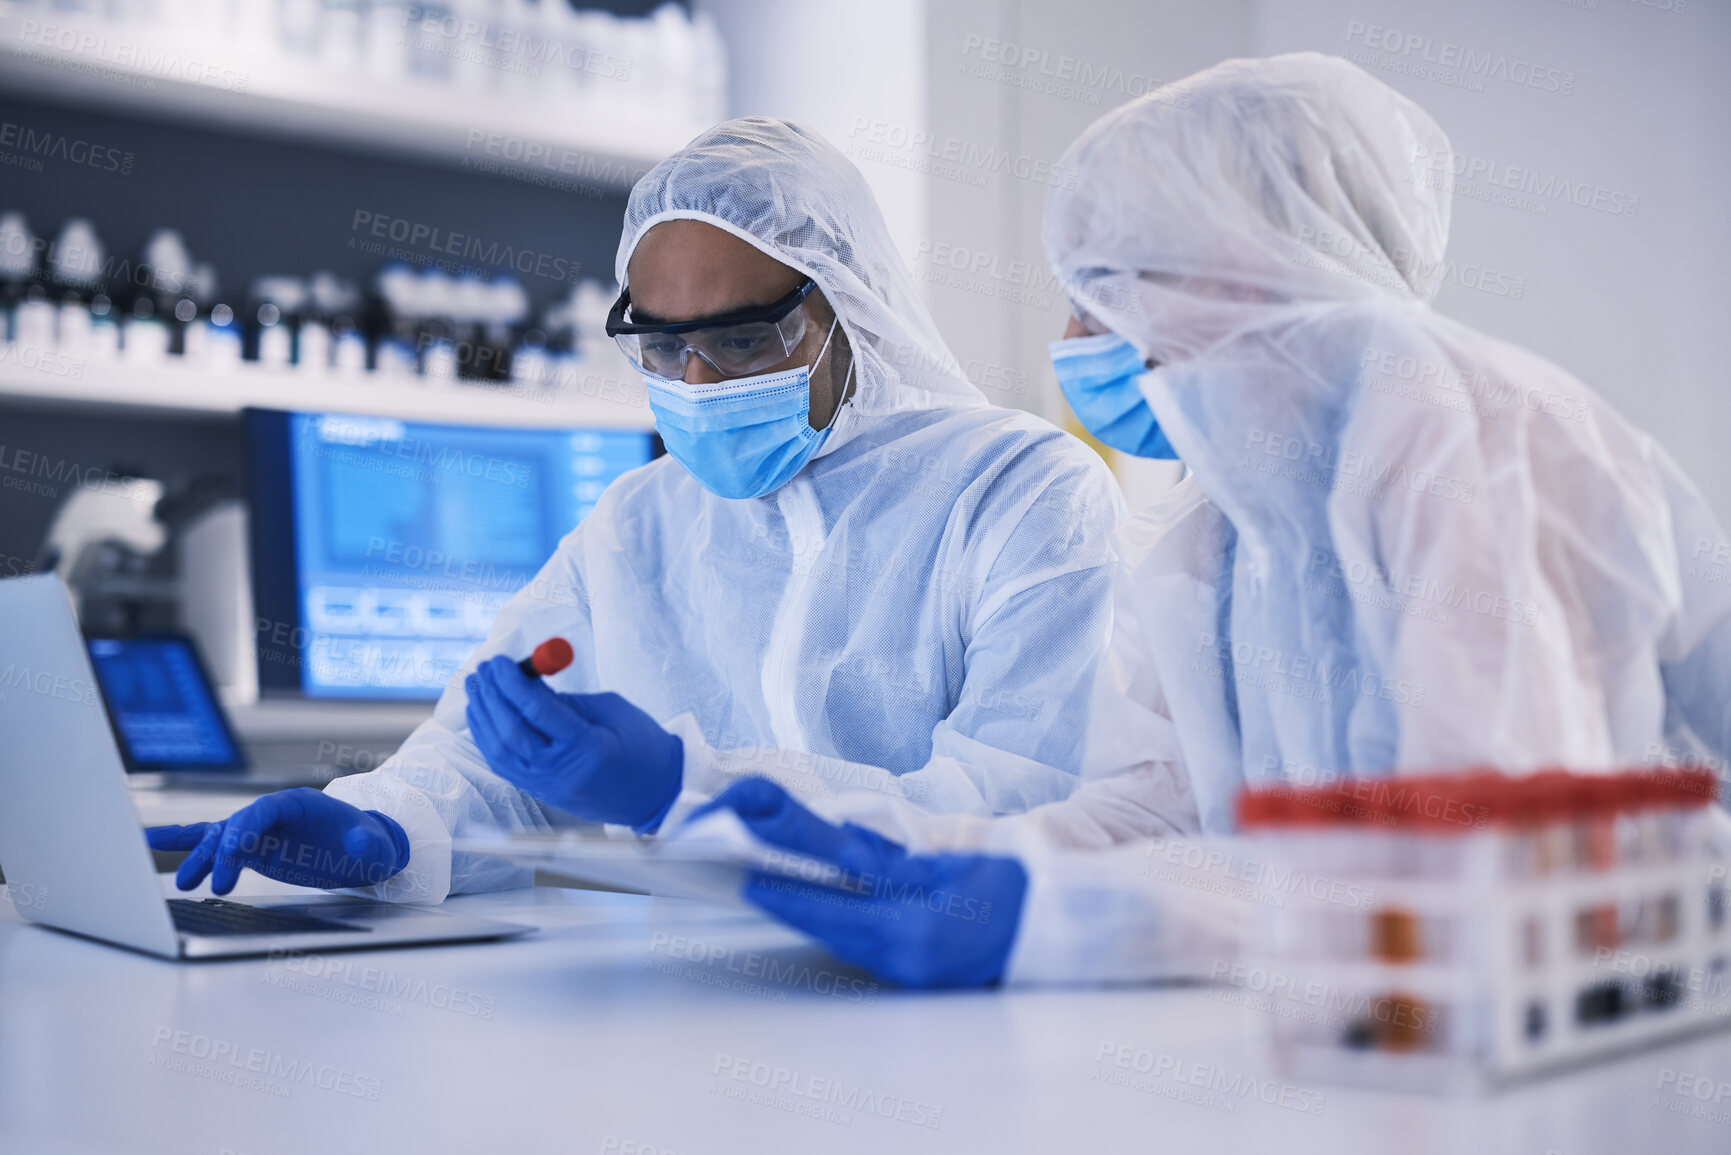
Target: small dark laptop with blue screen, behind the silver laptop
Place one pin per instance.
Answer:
(171, 725)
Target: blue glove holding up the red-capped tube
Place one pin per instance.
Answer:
(593, 756)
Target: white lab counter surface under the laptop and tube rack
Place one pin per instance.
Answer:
(636, 1026)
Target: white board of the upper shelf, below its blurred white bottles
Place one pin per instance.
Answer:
(124, 68)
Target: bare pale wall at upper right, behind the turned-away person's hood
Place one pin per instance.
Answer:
(1635, 306)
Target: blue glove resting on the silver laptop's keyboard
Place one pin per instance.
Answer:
(302, 837)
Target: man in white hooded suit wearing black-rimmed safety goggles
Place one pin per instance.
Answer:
(851, 572)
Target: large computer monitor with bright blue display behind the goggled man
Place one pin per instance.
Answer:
(383, 550)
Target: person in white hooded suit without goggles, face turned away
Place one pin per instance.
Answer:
(1401, 546)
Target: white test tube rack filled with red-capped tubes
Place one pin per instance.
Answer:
(1503, 926)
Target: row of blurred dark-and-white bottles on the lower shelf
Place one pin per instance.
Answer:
(415, 325)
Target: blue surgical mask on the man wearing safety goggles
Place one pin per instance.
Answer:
(743, 437)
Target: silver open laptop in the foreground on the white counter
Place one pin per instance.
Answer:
(72, 841)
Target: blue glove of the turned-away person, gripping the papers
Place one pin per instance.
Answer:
(920, 920)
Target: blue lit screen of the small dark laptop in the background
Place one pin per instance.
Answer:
(162, 704)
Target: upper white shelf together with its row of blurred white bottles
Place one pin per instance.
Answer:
(503, 79)
